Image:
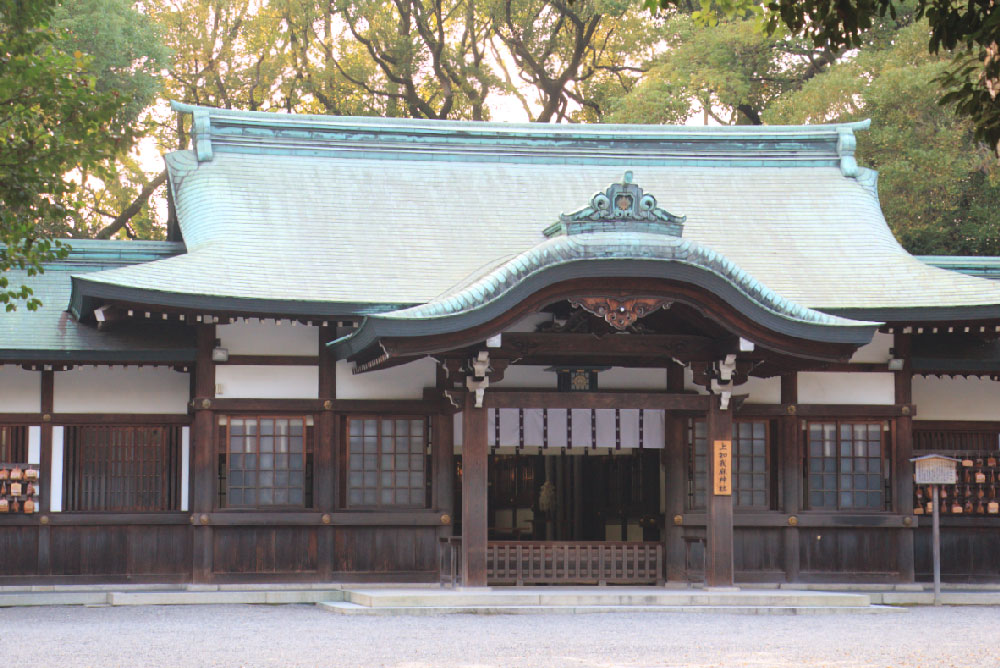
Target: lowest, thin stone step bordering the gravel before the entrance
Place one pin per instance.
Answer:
(346, 608)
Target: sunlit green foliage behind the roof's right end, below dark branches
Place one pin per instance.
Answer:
(936, 182)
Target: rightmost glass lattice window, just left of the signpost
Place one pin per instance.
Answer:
(846, 465)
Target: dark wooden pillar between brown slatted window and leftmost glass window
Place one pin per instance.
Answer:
(203, 457)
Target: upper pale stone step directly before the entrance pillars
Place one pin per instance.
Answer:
(598, 596)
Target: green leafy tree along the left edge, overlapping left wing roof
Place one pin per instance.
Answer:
(53, 120)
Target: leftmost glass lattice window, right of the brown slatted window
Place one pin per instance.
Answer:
(267, 462)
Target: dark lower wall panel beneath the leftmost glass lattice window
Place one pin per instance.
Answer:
(265, 550)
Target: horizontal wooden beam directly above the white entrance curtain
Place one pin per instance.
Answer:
(546, 399)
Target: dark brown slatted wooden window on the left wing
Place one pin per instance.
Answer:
(122, 468)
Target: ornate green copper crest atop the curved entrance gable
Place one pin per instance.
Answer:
(621, 207)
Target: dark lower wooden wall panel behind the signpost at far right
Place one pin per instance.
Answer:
(968, 554)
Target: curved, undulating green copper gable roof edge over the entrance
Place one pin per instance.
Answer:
(599, 255)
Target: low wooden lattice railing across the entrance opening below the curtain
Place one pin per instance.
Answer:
(538, 562)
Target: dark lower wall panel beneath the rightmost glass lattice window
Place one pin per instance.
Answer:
(848, 551)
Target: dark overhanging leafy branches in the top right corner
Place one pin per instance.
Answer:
(970, 29)
